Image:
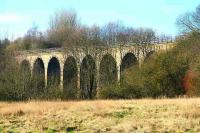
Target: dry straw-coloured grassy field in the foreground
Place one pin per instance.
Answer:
(166, 115)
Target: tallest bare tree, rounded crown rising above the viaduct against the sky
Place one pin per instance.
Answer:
(63, 28)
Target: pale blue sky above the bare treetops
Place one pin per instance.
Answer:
(17, 16)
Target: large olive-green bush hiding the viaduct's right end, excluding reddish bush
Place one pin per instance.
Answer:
(160, 76)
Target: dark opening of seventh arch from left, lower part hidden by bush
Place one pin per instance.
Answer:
(128, 61)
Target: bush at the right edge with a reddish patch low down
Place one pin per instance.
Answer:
(191, 47)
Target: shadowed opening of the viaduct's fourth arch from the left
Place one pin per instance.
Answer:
(70, 78)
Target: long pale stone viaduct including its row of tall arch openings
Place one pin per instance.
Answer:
(82, 69)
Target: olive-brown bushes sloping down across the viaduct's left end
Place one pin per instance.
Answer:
(16, 84)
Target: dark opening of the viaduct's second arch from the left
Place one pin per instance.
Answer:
(38, 76)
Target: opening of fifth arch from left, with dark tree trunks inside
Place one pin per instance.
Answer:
(88, 78)
